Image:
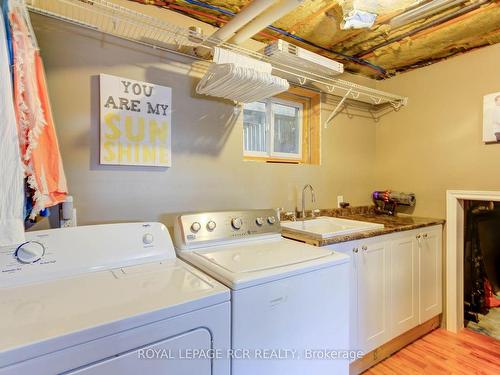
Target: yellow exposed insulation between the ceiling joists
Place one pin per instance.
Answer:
(318, 22)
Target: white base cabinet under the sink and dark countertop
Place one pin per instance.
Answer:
(396, 284)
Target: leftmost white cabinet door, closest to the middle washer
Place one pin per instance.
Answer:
(373, 262)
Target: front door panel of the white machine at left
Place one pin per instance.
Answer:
(168, 356)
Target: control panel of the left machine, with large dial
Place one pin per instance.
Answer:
(55, 253)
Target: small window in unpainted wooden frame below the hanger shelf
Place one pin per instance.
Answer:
(280, 129)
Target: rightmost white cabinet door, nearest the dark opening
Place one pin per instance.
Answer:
(431, 282)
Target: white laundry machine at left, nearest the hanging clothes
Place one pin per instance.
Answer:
(109, 299)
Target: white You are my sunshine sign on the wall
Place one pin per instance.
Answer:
(135, 122)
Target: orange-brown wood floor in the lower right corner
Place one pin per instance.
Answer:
(443, 352)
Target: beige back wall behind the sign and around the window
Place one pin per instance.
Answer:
(208, 172)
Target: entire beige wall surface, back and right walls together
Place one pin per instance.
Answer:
(430, 146)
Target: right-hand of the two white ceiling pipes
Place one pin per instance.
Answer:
(263, 20)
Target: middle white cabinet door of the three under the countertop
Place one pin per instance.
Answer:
(404, 311)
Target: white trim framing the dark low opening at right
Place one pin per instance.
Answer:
(455, 252)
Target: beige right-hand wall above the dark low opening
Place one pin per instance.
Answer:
(435, 143)
